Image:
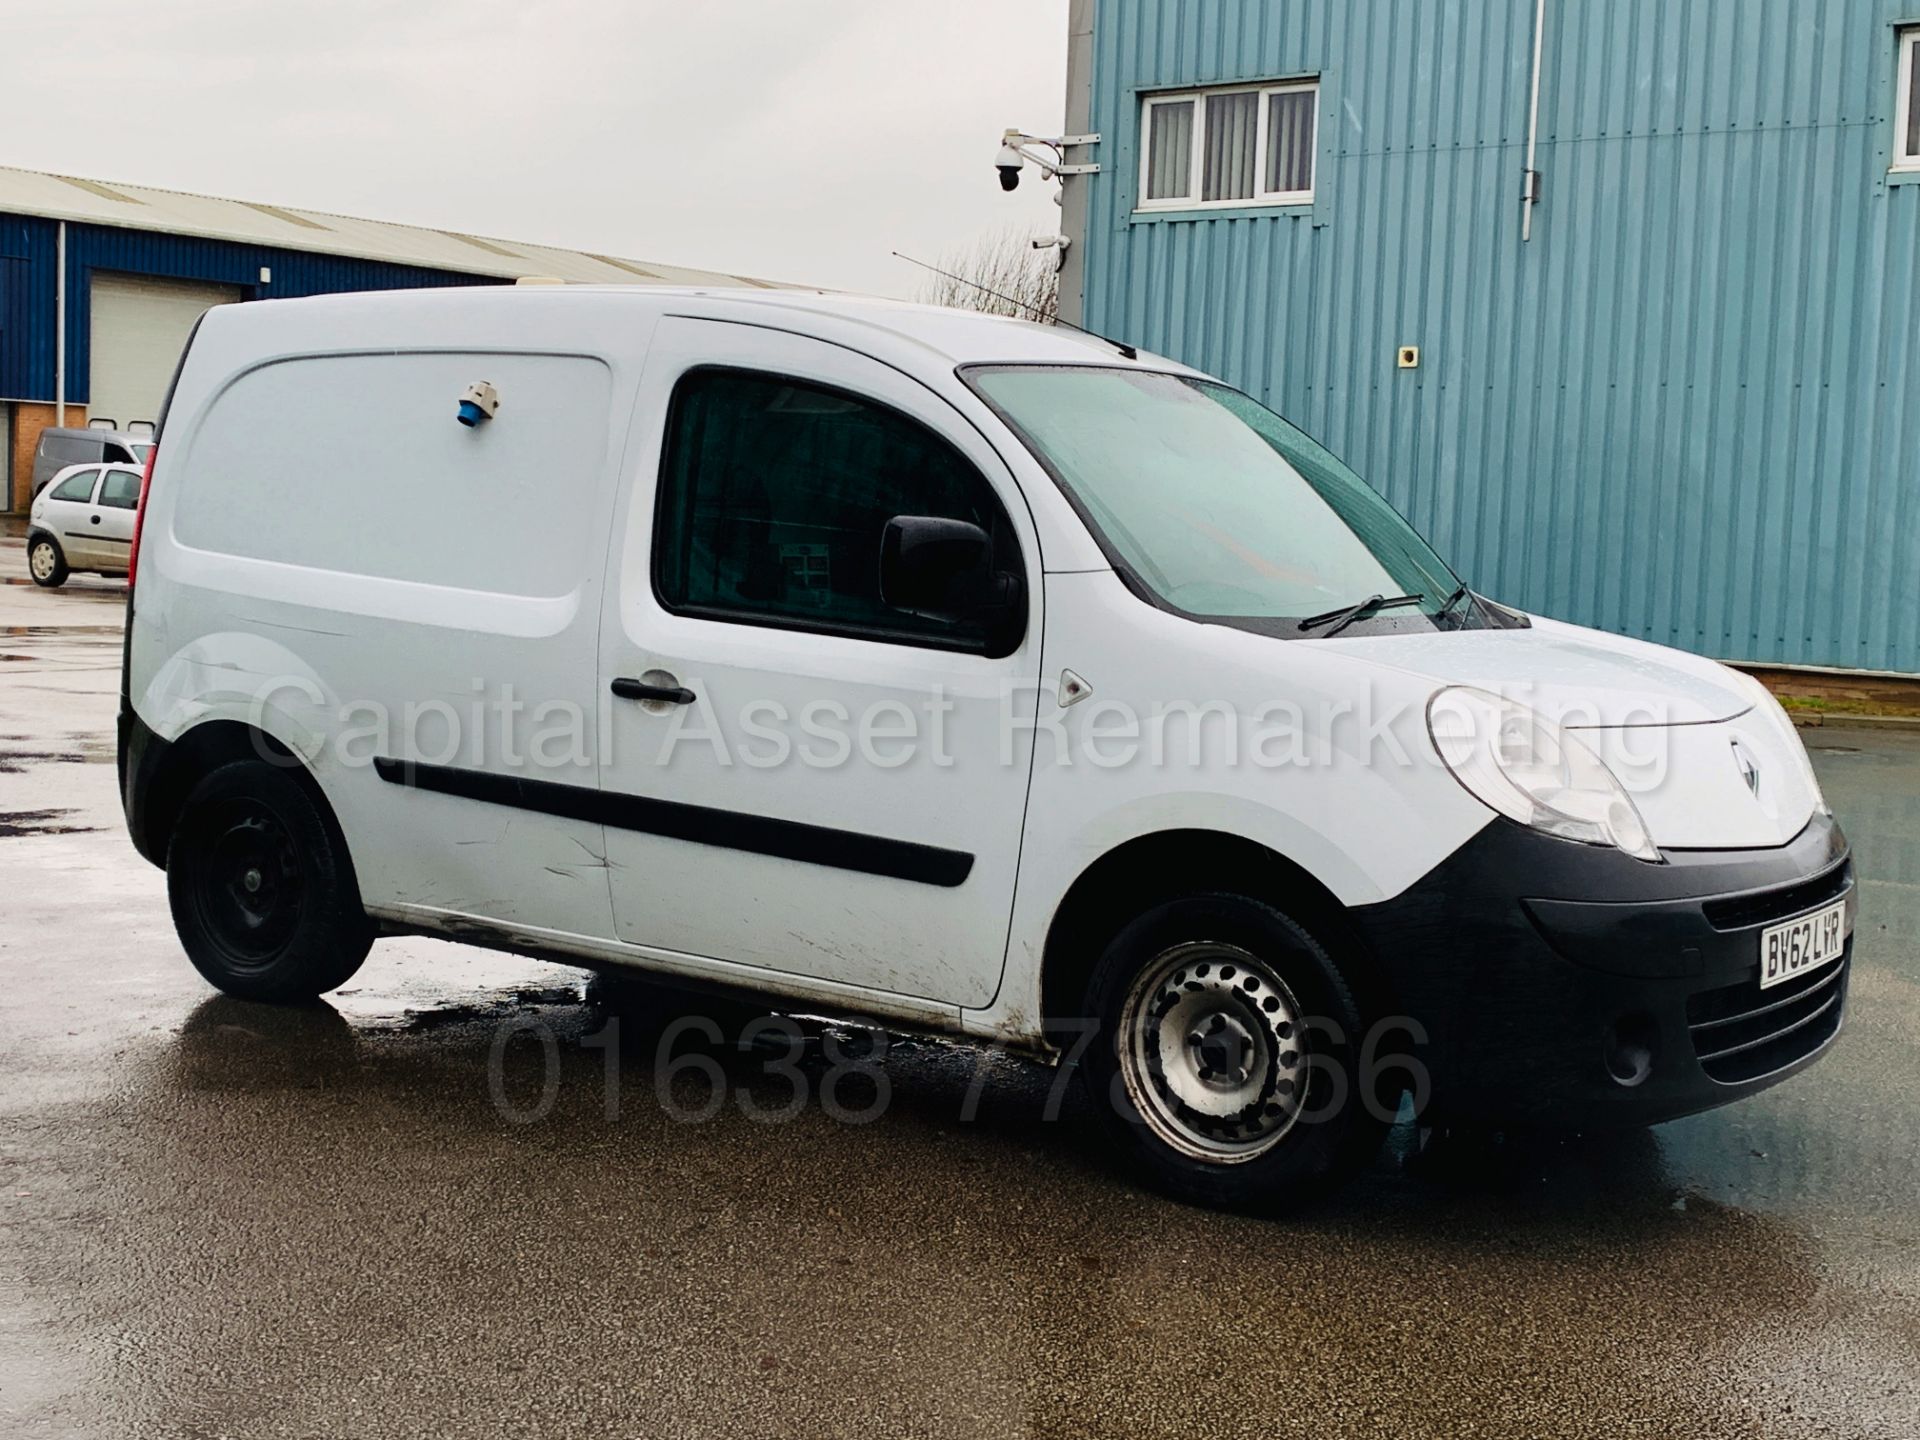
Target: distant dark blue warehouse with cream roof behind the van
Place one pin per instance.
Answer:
(101, 285)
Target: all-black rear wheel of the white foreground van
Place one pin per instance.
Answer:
(262, 886)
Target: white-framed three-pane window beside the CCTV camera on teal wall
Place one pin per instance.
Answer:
(1232, 147)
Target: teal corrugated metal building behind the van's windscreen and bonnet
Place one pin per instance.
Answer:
(1687, 406)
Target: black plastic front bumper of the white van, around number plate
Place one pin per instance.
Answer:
(1573, 986)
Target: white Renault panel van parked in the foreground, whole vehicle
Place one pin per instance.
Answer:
(980, 677)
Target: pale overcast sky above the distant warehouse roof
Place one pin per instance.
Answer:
(792, 139)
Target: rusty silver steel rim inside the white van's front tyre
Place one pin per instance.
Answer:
(1212, 1053)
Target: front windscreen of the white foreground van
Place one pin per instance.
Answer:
(1218, 506)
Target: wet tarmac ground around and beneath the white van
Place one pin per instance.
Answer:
(462, 1199)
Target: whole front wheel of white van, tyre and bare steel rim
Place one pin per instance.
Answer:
(1228, 1057)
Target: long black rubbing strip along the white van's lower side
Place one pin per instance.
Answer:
(788, 840)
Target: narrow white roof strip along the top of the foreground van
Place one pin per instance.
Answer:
(953, 335)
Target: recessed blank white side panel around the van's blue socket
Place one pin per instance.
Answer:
(356, 464)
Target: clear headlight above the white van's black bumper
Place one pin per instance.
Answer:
(1529, 769)
